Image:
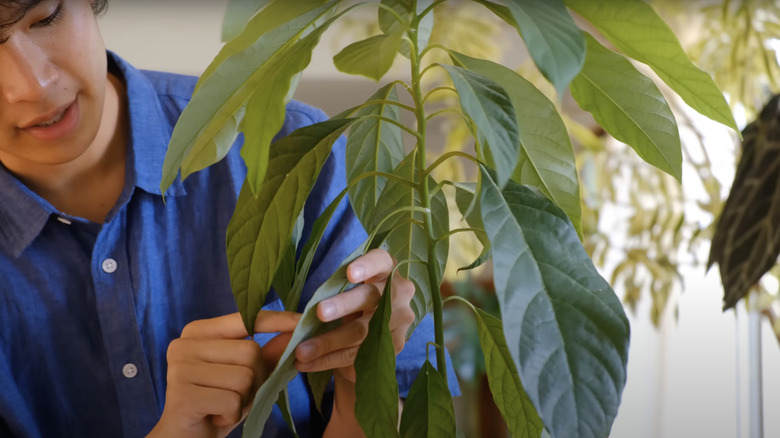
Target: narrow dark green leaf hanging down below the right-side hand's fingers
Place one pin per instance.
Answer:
(376, 386)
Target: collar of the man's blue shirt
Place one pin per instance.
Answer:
(23, 214)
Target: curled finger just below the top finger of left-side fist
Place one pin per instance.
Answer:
(219, 351)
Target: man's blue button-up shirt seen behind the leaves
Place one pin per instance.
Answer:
(87, 310)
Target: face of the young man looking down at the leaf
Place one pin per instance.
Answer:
(52, 84)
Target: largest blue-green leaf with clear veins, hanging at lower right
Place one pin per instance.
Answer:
(565, 328)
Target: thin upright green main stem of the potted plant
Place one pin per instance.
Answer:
(425, 199)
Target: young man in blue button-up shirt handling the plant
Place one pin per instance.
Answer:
(116, 316)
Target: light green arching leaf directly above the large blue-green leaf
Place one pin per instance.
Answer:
(546, 158)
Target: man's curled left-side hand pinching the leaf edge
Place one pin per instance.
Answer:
(214, 372)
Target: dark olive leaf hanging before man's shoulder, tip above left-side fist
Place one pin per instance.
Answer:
(260, 229)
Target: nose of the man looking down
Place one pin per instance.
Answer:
(26, 73)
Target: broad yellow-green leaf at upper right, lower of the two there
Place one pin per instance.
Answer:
(629, 106)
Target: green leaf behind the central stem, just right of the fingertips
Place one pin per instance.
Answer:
(407, 238)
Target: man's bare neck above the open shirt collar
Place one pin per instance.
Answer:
(90, 185)
